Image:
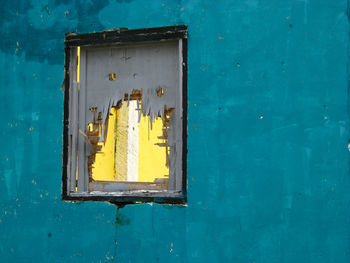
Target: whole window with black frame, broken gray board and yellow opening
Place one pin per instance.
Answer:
(125, 116)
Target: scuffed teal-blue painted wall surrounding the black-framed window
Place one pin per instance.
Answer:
(268, 177)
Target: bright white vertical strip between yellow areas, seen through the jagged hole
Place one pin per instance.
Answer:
(133, 143)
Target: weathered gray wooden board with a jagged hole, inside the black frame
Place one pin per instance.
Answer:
(146, 66)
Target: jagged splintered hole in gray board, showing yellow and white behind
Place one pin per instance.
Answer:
(121, 156)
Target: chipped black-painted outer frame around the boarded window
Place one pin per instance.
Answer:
(115, 37)
